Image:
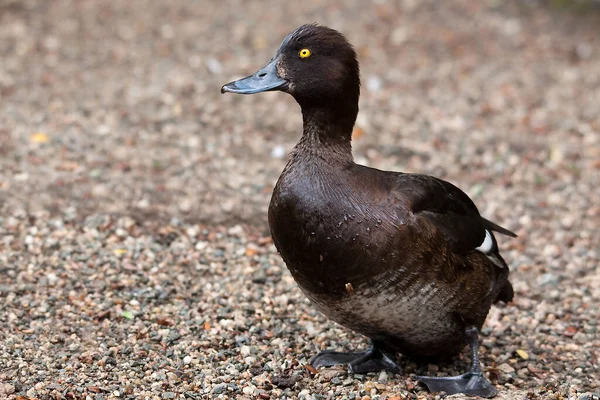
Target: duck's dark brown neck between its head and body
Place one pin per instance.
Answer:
(327, 133)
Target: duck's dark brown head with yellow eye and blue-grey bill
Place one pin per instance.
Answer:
(315, 64)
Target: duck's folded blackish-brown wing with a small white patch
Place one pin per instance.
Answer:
(453, 213)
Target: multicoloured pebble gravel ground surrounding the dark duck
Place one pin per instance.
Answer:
(135, 260)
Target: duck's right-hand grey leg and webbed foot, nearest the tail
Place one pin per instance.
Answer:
(473, 382)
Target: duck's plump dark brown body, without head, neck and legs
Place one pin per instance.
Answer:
(374, 251)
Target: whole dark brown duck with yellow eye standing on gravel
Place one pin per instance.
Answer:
(404, 259)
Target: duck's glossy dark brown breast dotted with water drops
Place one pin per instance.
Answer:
(330, 232)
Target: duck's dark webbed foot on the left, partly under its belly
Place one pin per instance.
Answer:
(371, 360)
